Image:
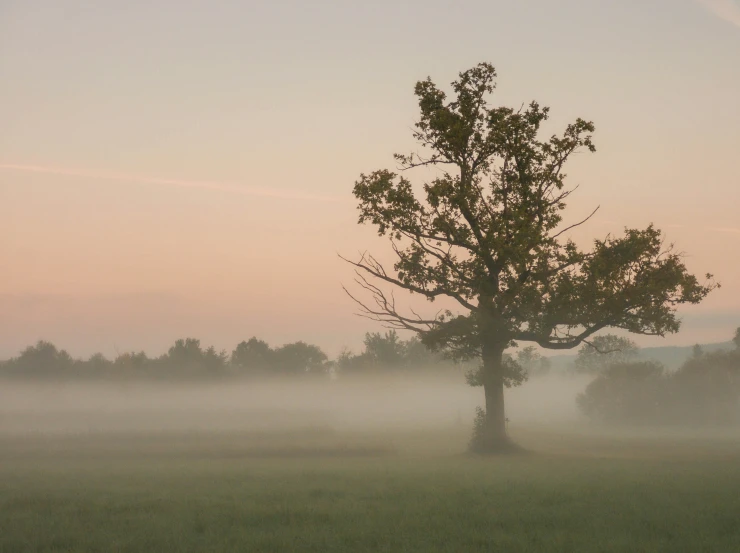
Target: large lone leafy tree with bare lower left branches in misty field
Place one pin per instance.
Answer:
(485, 231)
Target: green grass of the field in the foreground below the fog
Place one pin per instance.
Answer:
(326, 492)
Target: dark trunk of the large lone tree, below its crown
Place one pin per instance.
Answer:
(491, 434)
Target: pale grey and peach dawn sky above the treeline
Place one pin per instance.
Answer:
(184, 168)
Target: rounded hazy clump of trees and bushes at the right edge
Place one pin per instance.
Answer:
(705, 390)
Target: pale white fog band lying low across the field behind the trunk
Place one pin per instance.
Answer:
(382, 403)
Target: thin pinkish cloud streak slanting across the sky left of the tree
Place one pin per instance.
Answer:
(205, 185)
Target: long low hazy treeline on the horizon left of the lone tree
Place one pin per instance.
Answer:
(251, 358)
